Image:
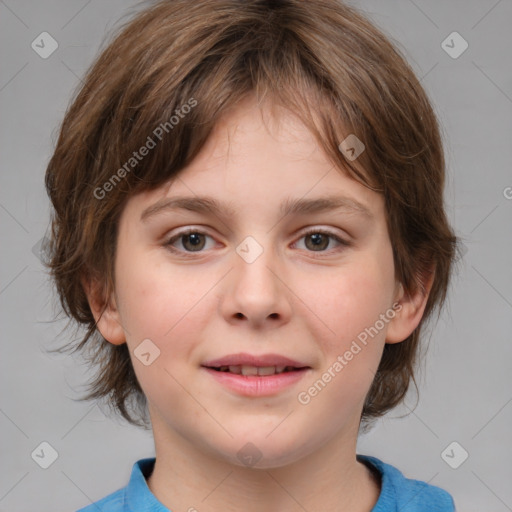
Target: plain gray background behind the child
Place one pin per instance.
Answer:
(465, 383)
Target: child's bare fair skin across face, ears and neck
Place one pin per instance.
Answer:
(292, 300)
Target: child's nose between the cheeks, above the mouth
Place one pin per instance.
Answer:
(256, 292)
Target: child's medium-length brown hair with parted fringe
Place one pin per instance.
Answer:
(322, 60)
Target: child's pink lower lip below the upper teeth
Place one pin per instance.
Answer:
(256, 385)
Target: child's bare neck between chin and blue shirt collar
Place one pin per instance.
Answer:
(330, 479)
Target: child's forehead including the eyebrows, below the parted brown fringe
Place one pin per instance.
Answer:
(262, 158)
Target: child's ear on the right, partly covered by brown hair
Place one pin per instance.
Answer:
(409, 310)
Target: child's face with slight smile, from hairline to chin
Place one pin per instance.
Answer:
(212, 300)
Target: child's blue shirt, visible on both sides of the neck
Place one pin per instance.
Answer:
(398, 494)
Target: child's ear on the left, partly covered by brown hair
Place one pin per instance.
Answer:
(104, 310)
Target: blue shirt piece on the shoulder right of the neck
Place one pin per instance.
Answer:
(400, 493)
